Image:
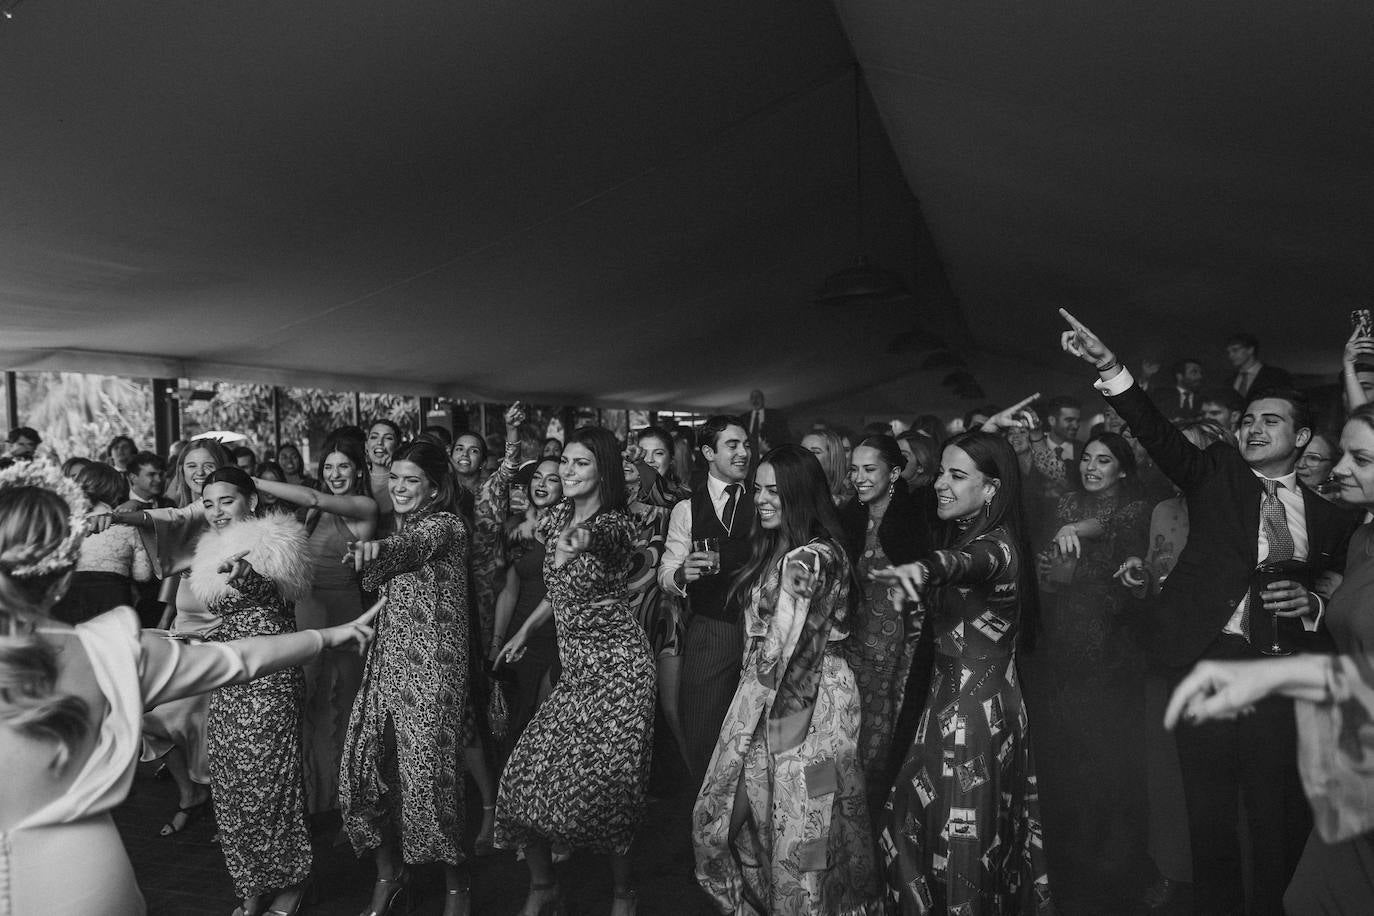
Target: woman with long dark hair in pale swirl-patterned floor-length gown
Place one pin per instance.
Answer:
(781, 827)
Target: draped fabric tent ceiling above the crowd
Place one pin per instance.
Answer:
(634, 204)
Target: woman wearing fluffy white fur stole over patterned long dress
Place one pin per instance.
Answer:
(251, 572)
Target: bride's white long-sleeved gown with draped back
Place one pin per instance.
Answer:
(67, 859)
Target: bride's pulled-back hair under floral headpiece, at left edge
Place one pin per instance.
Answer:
(34, 525)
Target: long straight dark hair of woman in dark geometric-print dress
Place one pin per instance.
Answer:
(994, 458)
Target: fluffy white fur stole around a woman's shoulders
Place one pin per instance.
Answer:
(277, 547)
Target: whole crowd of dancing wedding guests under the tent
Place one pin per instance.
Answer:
(978, 668)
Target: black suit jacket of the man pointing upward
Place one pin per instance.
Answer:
(1224, 498)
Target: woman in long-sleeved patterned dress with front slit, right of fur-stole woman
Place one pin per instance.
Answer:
(402, 779)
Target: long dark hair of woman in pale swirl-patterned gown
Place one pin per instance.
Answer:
(807, 514)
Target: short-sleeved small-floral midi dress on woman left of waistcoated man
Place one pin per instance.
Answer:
(579, 774)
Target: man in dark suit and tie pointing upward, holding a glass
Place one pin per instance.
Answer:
(1244, 507)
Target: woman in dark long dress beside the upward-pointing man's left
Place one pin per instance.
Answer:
(1086, 690)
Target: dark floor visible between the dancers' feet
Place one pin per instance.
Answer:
(185, 875)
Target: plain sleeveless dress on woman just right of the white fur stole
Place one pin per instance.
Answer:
(333, 679)
